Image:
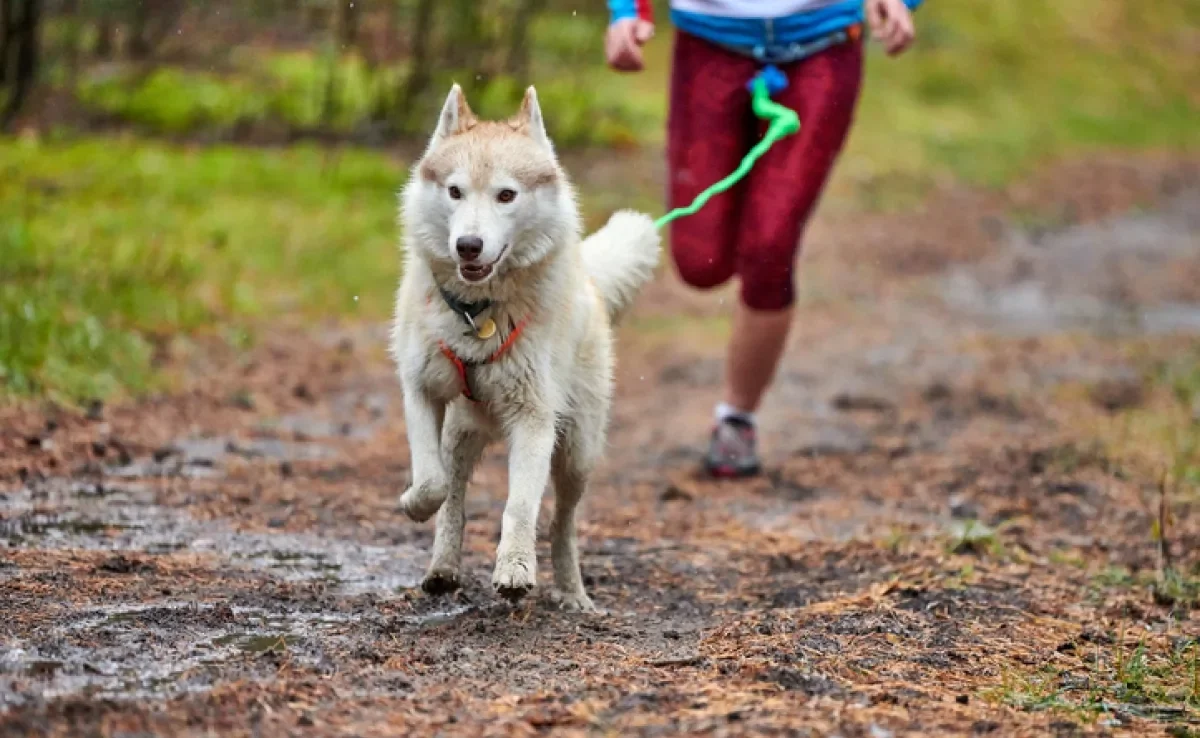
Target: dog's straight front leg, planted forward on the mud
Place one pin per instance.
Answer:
(531, 447)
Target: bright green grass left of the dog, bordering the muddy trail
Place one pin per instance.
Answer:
(109, 245)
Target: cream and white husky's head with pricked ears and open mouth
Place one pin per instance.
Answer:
(489, 197)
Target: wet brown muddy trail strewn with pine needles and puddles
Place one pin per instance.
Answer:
(943, 544)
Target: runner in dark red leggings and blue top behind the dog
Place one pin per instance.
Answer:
(754, 231)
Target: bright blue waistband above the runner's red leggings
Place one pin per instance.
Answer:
(775, 39)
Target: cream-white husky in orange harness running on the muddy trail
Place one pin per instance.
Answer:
(503, 331)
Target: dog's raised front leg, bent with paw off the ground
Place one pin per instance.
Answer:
(428, 491)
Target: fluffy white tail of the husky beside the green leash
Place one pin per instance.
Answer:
(621, 259)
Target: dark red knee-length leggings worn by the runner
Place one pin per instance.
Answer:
(753, 231)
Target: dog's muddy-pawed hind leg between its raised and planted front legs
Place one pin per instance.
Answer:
(463, 445)
